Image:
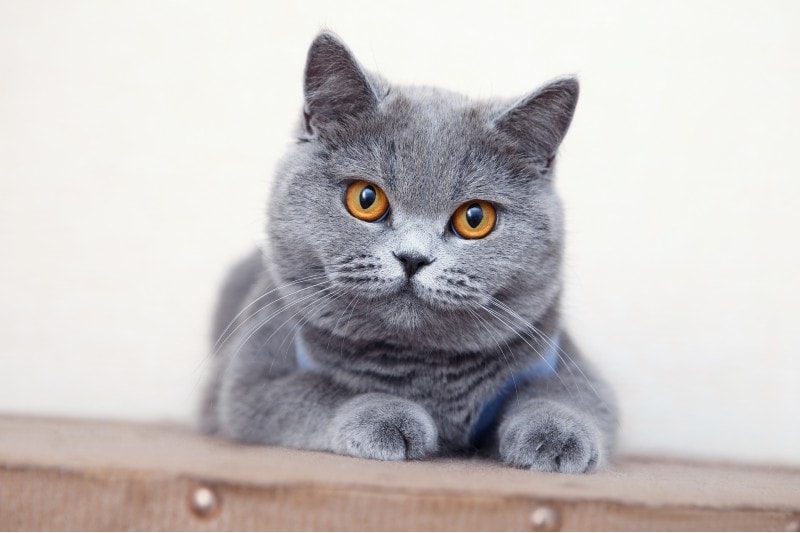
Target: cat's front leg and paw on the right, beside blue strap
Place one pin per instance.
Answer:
(562, 423)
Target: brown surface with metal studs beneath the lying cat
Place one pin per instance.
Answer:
(66, 474)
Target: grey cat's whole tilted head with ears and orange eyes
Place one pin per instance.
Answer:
(415, 210)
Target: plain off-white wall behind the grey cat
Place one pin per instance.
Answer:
(138, 139)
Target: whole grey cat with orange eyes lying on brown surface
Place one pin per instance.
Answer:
(406, 302)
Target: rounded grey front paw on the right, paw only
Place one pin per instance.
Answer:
(550, 437)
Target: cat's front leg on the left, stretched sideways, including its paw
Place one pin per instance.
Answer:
(308, 410)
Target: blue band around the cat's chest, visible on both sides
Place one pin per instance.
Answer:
(543, 367)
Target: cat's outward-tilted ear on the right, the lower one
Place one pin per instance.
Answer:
(541, 120)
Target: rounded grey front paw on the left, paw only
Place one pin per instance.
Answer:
(381, 426)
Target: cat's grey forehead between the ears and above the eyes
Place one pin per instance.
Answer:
(434, 147)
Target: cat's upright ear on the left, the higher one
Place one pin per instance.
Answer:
(336, 88)
